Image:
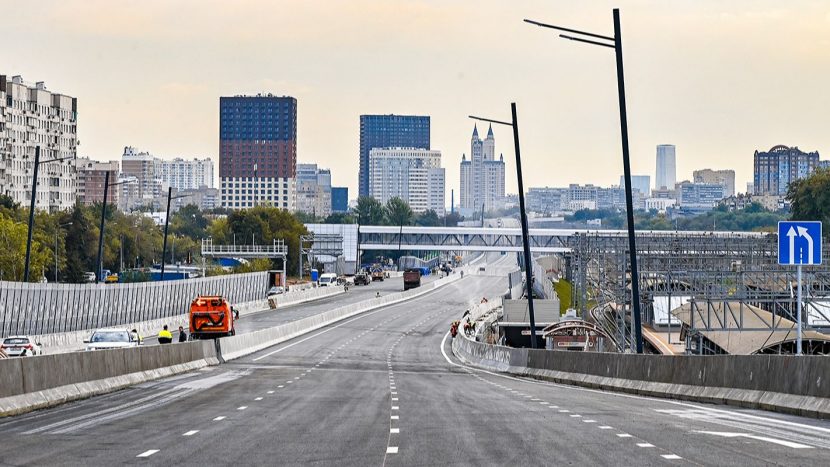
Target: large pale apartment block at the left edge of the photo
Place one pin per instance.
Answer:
(30, 117)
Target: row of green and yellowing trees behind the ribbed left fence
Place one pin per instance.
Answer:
(67, 241)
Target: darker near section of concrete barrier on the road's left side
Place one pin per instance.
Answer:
(36, 382)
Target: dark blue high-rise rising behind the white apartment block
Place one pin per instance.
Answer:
(389, 131)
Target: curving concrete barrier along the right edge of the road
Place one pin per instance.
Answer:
(781, 383)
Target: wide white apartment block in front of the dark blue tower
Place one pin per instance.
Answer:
(414, 175)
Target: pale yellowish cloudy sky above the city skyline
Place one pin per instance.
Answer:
(718, 79)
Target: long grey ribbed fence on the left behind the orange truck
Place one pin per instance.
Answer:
(49, 308)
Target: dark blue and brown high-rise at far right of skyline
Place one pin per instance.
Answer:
(777, 168)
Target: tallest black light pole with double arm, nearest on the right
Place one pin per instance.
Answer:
(616, 44)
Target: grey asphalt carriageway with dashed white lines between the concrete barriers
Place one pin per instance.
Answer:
(383, 389)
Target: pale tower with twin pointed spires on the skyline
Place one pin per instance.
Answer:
(482, 176)
